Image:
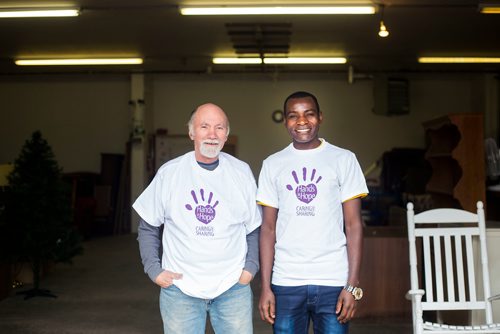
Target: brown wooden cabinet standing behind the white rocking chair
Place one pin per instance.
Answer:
(455, 151)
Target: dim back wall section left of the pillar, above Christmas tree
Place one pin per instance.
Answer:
(80, 117)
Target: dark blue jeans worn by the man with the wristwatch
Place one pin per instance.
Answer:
(297, 305)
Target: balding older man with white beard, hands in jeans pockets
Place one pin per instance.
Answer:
(207, 254)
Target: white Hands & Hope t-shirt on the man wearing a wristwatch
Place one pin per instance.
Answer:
(308, 188)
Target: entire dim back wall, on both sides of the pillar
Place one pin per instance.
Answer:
(86, 115)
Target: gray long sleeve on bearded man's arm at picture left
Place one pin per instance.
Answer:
(149, 238)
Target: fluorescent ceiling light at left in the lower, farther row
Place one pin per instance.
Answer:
(85, 61)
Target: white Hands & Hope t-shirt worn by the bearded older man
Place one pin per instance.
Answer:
(206, 216)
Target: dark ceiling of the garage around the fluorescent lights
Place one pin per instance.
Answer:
(169, 42)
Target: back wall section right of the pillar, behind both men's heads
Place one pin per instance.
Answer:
(347, 110)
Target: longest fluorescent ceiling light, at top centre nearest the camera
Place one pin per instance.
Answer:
(277, 10)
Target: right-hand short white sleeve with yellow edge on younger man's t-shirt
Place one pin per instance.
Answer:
(353, 182)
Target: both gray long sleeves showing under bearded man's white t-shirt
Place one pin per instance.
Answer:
(150, 247)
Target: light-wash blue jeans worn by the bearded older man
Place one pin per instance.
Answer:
(230, 313)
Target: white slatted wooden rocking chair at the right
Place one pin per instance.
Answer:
(449, 280)
